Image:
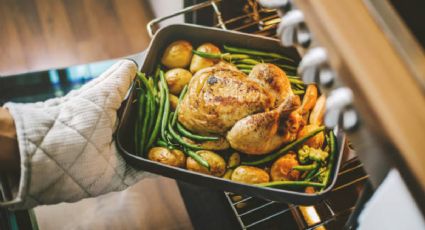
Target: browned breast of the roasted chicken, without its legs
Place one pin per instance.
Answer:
(220, 96)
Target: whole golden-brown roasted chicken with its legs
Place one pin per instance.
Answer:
(253, 112)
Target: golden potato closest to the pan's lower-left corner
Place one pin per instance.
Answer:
(163, 155)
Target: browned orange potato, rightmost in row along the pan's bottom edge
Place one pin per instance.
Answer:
(282, 168)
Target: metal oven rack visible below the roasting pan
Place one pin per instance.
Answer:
(255, 213)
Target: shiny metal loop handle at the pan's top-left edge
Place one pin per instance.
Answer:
(152, 26)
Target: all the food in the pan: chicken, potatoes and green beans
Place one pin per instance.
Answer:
(235, 113)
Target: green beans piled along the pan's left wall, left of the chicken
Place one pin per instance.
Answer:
(155, 119)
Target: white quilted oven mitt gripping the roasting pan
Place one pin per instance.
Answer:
(66, 146)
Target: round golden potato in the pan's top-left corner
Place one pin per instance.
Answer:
(177, 54)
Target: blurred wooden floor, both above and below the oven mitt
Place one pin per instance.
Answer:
(42, 34)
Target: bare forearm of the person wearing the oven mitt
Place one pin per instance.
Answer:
(9, 151)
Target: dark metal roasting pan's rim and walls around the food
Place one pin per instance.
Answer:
(197, 35)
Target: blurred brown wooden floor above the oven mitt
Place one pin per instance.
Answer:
(39, 34)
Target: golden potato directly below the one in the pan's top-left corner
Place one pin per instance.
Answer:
(176, 79)
